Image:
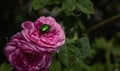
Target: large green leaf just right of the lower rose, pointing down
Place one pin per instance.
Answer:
(67, 55)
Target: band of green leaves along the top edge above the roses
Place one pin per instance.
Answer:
(67, 6)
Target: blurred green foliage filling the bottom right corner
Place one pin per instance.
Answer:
(106, 53)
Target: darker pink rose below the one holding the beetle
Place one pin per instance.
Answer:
(25, 56)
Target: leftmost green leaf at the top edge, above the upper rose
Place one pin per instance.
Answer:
(38, 4)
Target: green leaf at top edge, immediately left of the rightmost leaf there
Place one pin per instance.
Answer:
(69, 5)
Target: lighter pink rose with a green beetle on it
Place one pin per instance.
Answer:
(44, 32)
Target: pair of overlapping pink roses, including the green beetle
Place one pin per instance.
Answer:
(32, 48)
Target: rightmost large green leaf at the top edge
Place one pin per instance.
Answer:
(85, 6)
